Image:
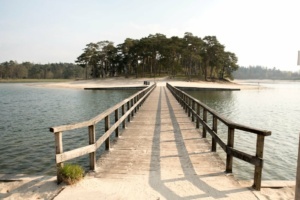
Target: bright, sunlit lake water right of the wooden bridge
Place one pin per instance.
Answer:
(276, 107)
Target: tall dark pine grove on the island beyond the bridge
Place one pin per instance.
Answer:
(156, 55)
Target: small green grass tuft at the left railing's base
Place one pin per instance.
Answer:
(71, 173)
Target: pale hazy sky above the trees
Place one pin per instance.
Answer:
(259, 32)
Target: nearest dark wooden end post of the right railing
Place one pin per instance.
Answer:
(258, 169)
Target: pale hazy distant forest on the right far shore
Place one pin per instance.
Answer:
(258, 72)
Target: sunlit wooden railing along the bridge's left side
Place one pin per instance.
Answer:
(131, 104)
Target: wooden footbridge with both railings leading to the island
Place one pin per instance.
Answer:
(161, 142)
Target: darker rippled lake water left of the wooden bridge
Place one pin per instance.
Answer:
(27, 112)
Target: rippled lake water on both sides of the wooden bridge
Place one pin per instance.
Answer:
(27, 146)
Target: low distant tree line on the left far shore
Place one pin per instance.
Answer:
(14, 70)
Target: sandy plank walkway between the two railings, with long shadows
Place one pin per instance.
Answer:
(160, 155)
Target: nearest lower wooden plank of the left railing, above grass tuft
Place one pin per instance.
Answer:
(75, 153)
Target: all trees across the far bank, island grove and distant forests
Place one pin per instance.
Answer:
(189, 57)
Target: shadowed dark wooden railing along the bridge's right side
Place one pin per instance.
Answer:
(194, 107)
